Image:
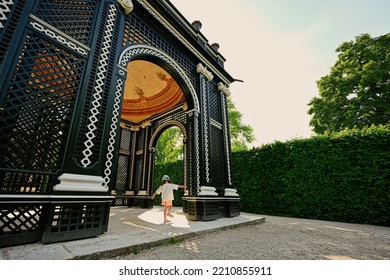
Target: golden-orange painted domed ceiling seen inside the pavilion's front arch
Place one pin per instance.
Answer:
(149, 90)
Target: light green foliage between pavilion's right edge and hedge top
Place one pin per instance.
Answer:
(240, 134)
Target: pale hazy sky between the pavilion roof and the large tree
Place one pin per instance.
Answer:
(280, 49)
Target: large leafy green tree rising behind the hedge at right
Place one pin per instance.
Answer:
(356, 92)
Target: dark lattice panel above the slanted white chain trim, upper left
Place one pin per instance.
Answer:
(73, 17)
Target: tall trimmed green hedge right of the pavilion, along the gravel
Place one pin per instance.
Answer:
(343, 177)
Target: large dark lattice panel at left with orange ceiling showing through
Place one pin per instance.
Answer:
(38, 107)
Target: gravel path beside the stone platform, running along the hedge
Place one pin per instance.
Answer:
(279, 238)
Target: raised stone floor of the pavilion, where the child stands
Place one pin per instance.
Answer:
(129, 230)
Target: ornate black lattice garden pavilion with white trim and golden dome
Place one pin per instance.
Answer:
(87, 88)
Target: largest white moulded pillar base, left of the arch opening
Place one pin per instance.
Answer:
(80, 183)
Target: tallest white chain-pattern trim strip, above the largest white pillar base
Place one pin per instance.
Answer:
(96, 103)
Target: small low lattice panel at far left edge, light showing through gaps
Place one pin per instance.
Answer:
(19, 219)
